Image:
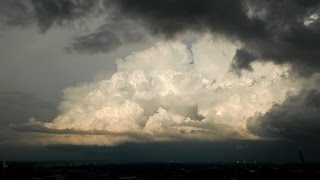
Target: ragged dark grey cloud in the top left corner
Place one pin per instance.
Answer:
(45, 14)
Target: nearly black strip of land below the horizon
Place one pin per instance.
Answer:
(93, 170)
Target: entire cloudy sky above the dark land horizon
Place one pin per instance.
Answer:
(159, 81)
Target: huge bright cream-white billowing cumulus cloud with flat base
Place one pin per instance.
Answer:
(171, 92)
